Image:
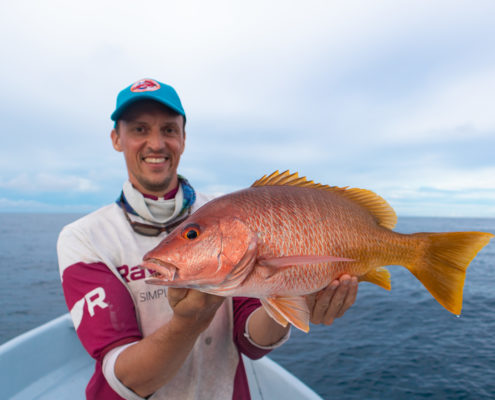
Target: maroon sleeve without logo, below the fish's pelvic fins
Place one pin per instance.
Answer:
(243, 307)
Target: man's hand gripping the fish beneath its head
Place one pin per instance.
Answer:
(193, 307)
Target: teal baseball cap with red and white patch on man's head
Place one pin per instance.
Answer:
(148, 89)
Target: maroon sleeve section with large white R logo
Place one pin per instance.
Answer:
(101, 308)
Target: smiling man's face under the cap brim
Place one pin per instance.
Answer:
(152, 139)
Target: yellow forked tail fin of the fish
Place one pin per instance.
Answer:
(442, 269)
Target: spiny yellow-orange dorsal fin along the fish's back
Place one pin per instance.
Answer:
(376, 205)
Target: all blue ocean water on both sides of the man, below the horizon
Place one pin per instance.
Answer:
(390, 345)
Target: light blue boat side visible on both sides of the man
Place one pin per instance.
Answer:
(49, 362)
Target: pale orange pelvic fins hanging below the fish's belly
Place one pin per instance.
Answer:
(288, 309)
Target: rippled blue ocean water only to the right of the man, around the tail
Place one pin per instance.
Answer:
(402, 344)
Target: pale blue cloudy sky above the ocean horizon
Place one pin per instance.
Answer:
(393, 96)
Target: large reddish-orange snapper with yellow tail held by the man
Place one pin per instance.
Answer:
(286, 237)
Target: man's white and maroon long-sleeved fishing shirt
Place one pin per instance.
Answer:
(112, 307)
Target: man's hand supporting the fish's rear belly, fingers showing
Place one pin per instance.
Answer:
(333, 301)
